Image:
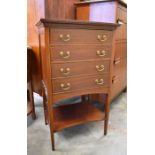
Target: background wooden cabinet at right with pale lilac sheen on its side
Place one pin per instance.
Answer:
(113, 11)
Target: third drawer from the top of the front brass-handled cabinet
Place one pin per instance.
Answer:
(80, 68)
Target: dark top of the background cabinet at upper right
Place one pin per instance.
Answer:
(95, 1)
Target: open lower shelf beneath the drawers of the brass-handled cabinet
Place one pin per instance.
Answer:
(75, 114)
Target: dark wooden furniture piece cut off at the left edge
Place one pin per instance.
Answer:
(30, 99)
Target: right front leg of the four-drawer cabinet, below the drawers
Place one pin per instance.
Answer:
(107, 107)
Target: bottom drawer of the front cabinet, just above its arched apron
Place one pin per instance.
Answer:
(80, 83)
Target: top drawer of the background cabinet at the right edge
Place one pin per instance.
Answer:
(122, 14)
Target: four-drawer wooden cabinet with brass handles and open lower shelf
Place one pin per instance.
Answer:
(76, 60)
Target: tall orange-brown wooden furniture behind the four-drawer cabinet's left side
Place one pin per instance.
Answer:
(36, 9)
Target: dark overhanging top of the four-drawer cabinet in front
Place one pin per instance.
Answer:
(75, 23)
